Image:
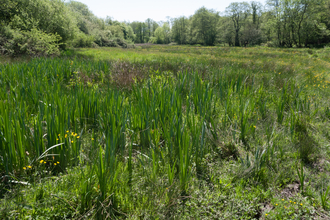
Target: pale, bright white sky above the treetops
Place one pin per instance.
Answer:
(140, 10)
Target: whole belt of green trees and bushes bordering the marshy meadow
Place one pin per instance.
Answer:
(43, 27)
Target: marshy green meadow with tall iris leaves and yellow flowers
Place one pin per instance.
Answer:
(166, 132)
